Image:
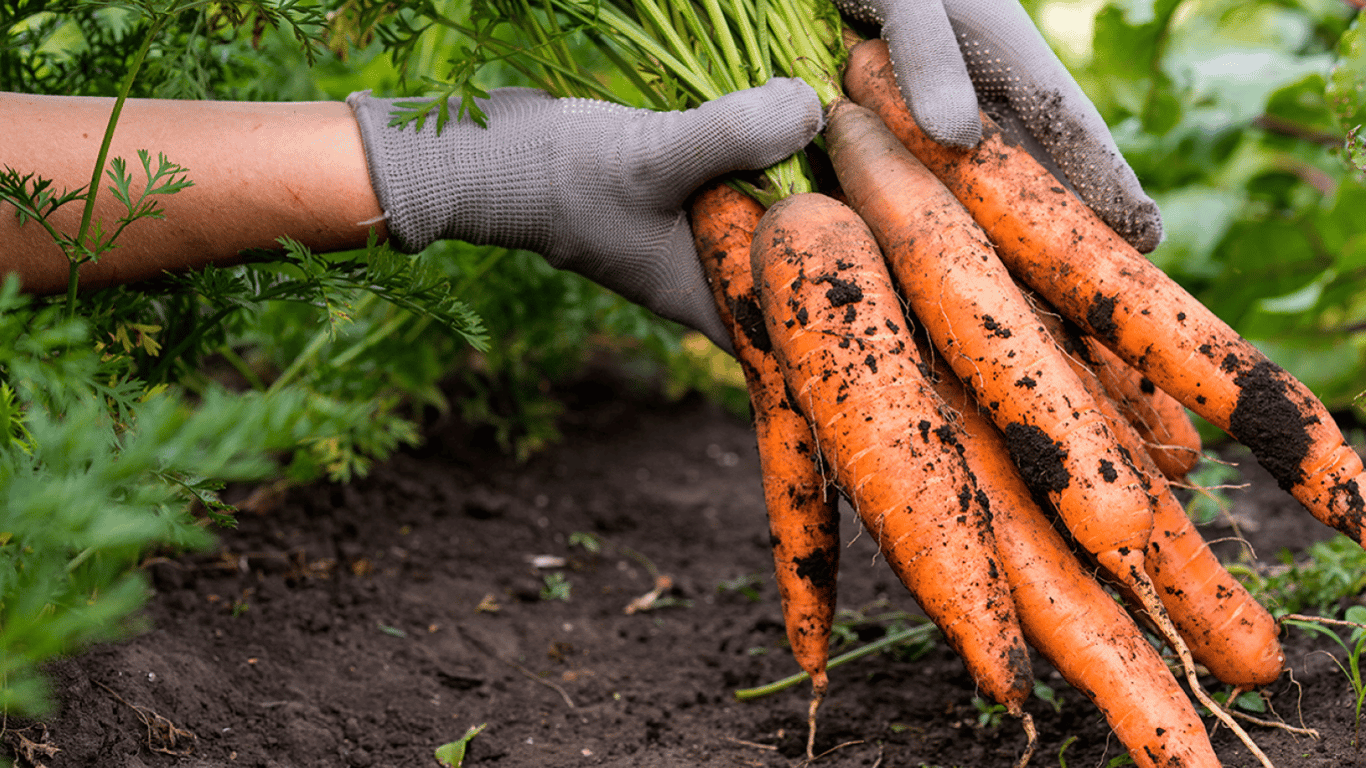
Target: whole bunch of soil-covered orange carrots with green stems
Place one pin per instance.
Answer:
(998, 385)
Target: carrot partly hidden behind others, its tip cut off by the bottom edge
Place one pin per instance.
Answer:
(1072, 620)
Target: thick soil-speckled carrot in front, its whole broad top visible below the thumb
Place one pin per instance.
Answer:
(839, 334)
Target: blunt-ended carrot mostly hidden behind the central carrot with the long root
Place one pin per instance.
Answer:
(1226, 628)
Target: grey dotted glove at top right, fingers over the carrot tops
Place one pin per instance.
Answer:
(953, 57)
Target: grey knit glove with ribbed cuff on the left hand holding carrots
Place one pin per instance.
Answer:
(592, 187)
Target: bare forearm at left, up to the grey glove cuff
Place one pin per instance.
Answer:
(260, 172)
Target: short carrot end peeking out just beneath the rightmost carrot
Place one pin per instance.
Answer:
(1167, 431)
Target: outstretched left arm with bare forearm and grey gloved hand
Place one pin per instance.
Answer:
(595, 188)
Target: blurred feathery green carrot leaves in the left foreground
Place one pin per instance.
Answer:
(85, 493)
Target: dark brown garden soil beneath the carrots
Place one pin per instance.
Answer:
(345, 628)
